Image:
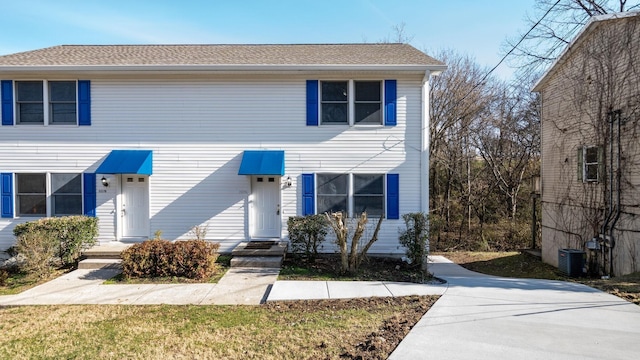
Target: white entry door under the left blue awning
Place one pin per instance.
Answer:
(135, 206)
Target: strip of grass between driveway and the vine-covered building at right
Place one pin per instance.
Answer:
(523, 265)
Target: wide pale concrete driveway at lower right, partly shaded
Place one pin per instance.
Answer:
(485, 317)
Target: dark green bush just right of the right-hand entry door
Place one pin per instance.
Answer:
(306, 233)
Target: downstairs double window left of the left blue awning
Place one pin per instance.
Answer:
(62, 197)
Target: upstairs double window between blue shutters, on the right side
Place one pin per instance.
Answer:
(351, 102)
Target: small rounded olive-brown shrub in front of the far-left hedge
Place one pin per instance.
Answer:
(37, 249)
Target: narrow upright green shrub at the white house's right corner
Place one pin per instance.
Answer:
(415, 238)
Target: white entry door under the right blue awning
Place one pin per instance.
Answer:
(265, 217)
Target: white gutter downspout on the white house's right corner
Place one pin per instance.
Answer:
(425, 144)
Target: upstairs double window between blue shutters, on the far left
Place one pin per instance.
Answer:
(46, 102)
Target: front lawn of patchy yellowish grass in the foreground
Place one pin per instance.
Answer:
(283, 330)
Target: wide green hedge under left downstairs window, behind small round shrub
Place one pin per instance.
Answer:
(71, 234)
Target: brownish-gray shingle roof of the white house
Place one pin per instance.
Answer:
(175, 55)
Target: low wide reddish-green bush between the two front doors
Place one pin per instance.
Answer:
(194, 259)
